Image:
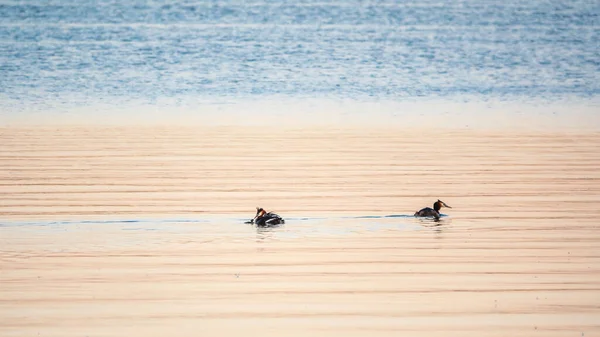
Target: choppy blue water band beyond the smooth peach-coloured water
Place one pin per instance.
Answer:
(58, 55)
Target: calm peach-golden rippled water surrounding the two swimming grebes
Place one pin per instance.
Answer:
(519, 254)
